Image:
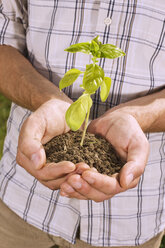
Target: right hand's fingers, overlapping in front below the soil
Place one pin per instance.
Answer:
(91, 185)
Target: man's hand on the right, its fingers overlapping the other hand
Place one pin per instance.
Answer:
(124, 133)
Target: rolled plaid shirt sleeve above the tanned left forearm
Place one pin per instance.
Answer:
(13, 23)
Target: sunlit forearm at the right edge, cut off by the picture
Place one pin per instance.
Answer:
(149, 111)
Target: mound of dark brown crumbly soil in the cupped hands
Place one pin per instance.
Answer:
(96, 152)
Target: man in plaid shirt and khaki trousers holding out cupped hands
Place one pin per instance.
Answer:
(46, 204)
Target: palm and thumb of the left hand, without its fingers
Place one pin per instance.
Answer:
(41, 126)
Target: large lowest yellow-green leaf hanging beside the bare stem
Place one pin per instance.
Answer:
(76, 113)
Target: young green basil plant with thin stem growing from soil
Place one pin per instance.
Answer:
(93, 78)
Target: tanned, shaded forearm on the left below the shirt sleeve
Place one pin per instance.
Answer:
(22, 84)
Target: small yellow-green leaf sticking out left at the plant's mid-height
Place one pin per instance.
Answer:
(69, 78)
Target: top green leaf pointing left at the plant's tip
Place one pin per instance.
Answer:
(80, 47)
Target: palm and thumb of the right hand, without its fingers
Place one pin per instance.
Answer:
(125, 134)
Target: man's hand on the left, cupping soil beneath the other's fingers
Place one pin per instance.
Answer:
(42, 125)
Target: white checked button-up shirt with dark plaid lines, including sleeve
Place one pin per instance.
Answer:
(45, 28)
